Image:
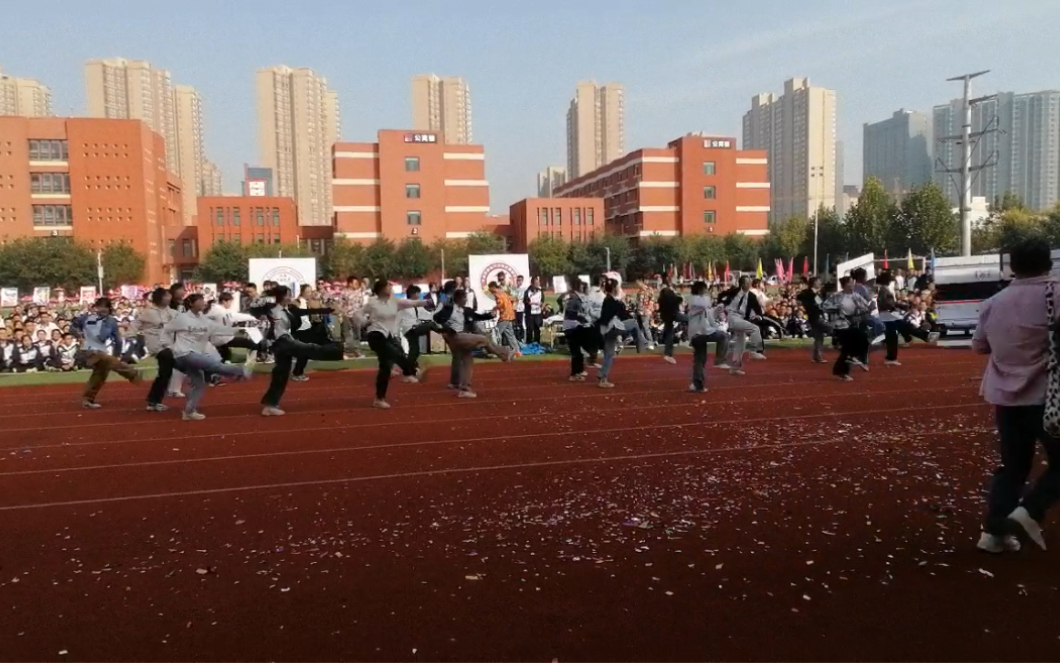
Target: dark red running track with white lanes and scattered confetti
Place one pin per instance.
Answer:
(783, 516)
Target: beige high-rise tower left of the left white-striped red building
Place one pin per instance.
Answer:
(298, 124)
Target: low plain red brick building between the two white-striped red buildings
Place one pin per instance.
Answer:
(572, 220)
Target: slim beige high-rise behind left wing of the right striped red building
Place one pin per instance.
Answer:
(596, 128)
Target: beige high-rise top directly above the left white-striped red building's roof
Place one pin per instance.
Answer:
(443, 104)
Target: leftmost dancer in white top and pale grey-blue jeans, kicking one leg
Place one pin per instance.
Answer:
(191, 335)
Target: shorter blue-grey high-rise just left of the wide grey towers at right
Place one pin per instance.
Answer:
(898, 151)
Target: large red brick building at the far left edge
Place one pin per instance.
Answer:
(100, 182)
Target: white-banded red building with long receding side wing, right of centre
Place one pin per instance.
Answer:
(696, 185)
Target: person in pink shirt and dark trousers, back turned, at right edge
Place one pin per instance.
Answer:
(1014, 330)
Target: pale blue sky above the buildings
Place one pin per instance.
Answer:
(687, 65)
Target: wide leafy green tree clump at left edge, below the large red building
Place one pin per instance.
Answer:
(58, 263)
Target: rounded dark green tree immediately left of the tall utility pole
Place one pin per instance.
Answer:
(926, 221)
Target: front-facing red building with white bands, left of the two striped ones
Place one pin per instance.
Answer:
(410, 184)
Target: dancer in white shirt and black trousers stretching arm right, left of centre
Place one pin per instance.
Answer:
(381, 315)
